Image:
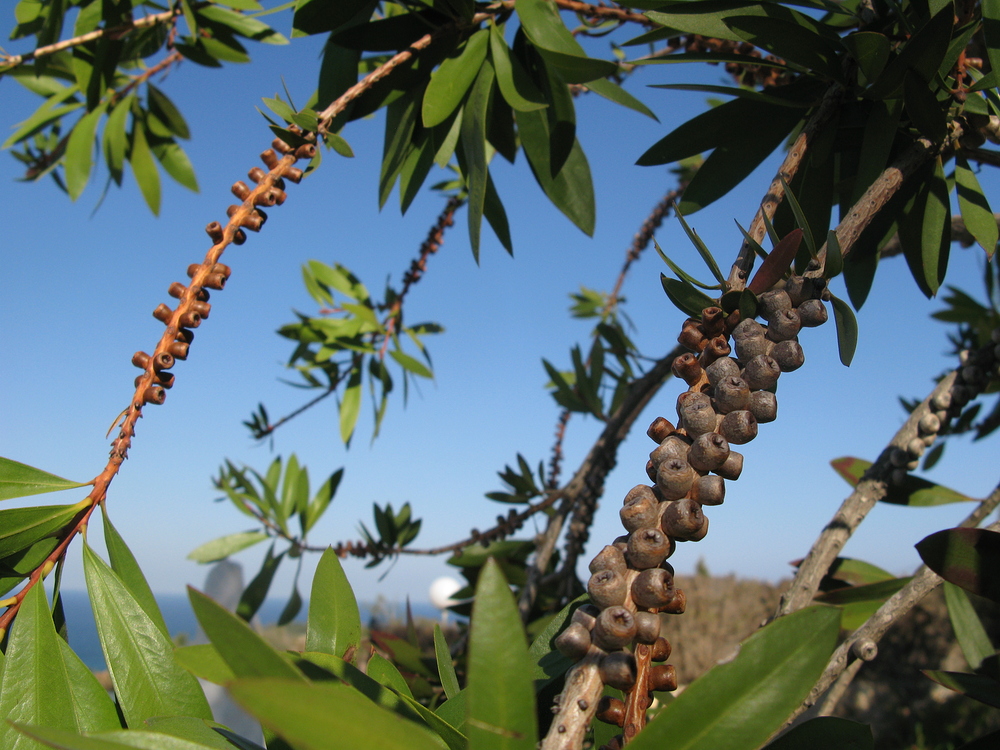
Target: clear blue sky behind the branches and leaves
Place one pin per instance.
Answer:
(79, 287)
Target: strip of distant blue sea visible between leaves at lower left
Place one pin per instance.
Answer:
(180, 619)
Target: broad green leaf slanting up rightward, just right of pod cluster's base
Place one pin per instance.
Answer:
(741, 703)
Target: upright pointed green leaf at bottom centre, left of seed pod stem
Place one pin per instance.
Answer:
(501, 699)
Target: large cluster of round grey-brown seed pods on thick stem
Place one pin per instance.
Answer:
(631, 581)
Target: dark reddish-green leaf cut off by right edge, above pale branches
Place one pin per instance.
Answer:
(969, 558)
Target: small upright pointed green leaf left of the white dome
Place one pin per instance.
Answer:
(334, 621)
